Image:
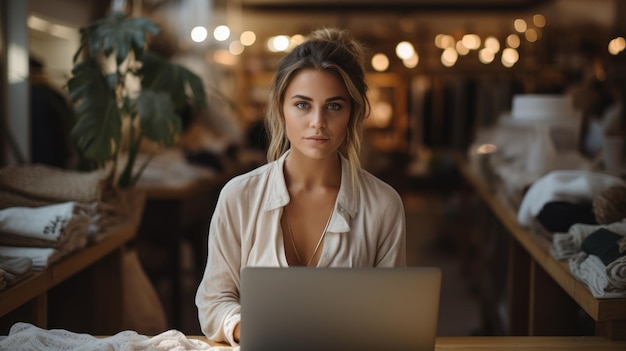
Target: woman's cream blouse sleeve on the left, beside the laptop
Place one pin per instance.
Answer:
(217, 297)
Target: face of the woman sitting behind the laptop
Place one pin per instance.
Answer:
(317, 111)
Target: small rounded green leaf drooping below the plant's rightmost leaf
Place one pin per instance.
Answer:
(158, 119)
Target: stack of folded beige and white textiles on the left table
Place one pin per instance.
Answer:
(47, 213)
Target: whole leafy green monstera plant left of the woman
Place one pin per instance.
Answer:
(124, 94)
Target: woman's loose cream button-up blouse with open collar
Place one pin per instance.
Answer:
(367, 230)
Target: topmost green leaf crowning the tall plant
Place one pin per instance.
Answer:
(117, 33)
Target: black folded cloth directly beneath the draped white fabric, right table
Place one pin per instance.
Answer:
(559, 216)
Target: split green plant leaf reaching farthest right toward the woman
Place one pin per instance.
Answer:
(183, 86)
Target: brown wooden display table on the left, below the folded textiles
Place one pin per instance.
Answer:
(82, 291)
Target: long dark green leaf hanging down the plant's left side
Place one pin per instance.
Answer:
(97, 131)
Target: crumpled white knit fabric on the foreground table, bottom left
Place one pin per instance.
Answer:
(25, 336)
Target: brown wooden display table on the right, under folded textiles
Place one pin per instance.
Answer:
(539, 286)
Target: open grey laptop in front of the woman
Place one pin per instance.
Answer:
(306, 308)
